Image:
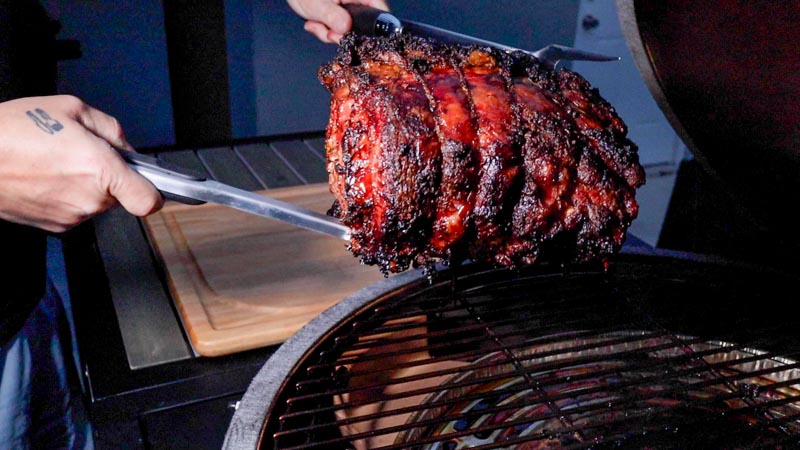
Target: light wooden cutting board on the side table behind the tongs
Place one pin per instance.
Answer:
(241, 281)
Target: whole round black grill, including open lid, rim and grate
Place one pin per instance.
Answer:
(661, 350)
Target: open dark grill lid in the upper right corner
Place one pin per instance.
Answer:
(727, 76)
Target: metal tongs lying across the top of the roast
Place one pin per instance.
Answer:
(374, 22)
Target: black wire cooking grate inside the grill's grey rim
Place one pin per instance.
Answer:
(484, 370)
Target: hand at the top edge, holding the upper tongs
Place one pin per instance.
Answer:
(326, 19)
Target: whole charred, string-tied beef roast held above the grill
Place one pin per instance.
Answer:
(444, 153)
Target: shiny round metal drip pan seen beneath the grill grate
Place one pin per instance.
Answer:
(618, 389)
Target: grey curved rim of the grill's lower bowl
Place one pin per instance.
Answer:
(248, 425)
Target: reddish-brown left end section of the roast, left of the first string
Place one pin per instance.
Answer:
(391, 155)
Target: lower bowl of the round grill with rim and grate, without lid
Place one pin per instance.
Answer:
(657, 353)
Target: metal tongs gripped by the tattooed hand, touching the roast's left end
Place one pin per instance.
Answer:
(187, 186)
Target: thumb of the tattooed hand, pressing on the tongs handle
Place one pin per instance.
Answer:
(134, 192)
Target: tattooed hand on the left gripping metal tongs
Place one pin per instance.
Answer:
(58, 166)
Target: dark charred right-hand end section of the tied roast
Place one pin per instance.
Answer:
(580, 170)
